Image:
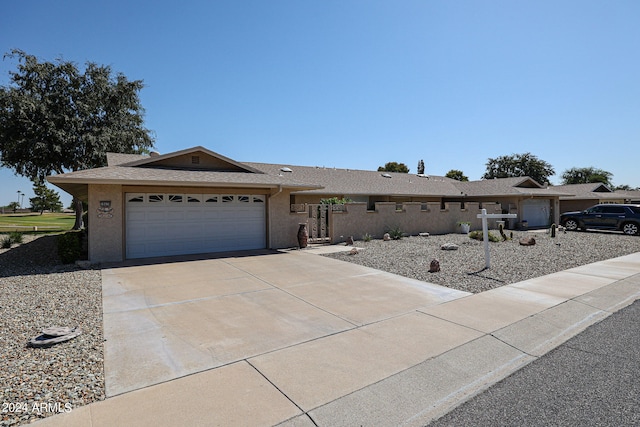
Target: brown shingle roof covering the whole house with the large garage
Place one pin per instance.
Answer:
(142, 170)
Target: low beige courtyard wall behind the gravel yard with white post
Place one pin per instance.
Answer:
(357, 220)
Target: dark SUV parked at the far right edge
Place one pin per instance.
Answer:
(625, 218)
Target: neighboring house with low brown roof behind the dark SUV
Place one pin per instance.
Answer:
(579, 197)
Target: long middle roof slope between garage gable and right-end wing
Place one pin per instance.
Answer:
(360, 182)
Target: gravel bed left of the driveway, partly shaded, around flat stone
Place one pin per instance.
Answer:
(36, 292)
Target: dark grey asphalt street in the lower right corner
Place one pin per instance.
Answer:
(591, 380)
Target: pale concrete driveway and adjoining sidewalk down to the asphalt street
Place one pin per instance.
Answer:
(359, 347)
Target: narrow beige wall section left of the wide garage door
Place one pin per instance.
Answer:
(106, 230)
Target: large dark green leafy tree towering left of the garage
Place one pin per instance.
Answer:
(55, 118)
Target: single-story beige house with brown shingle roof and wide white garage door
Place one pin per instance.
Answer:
(198, 201)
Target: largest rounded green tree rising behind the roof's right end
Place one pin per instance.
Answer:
(517, 165)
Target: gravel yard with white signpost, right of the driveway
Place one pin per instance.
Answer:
(463, 269)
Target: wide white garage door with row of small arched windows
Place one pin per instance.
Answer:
(160, 224)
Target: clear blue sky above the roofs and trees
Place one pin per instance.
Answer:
(356, 84)
